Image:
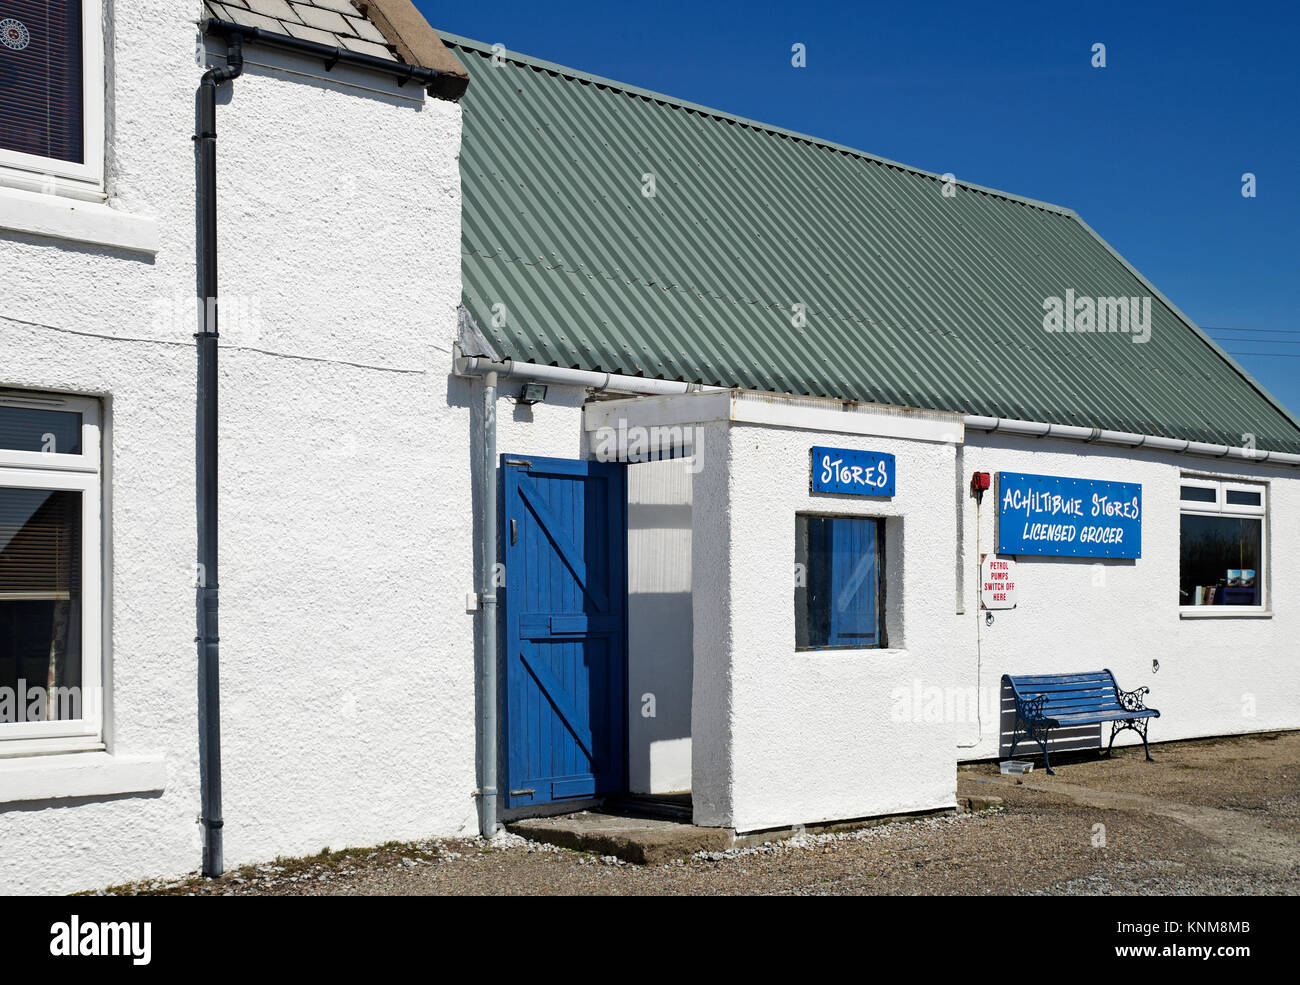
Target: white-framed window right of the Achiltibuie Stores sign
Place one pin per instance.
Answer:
(1221, 549)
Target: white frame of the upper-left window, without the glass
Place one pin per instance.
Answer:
(88, 176)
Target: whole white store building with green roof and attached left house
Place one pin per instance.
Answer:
(678, 322)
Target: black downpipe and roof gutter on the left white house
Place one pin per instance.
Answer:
(206, 340)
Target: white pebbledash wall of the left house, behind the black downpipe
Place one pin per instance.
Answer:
(348, 659)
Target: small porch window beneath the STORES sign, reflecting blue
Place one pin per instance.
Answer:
(839, 587)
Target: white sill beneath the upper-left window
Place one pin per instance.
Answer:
(93, 223)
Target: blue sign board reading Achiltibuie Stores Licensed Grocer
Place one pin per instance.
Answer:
(1068, 518)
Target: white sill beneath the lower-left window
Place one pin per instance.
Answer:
(80, 775)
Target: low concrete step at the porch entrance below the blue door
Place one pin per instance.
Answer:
(645, 841)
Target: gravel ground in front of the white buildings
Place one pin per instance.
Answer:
(1211, 818)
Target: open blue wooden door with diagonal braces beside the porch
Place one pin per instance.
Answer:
(565, 614)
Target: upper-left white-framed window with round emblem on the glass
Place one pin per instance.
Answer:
(53, 94)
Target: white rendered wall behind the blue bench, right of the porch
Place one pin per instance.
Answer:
(1217, 676)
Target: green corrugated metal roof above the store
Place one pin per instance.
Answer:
(912, 298)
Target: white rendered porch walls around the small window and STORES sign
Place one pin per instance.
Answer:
(805, 737)
